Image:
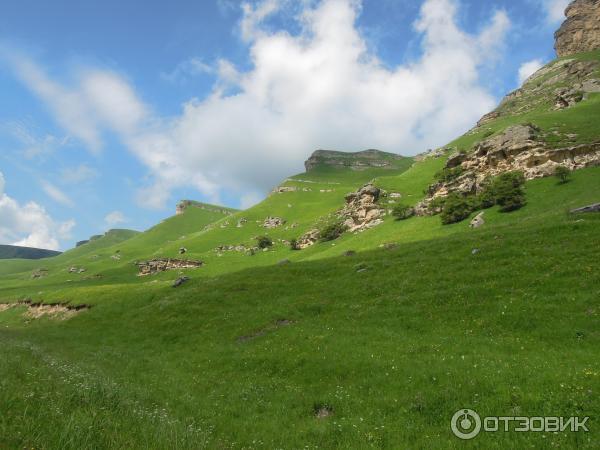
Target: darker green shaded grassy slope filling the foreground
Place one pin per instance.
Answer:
(512, 330)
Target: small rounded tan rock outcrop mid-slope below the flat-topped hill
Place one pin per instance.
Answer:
(361, 210)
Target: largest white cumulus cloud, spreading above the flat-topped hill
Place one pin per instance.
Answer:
(318, 88)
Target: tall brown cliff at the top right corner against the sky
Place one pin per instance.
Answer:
(581, 31)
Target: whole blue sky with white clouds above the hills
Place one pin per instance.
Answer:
(112, 111)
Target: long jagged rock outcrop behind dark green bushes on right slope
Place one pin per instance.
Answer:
(518, 148)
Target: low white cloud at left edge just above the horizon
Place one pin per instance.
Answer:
(29, 225)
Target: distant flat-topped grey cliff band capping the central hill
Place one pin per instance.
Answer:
(356, 161)
